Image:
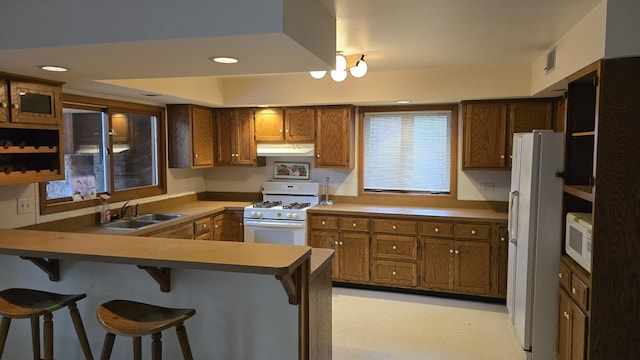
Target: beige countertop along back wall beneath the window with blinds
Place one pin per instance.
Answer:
(367, 210)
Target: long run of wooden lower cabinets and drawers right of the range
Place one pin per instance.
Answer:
(406, 252)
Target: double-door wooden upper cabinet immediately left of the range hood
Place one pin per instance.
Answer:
(235, 142)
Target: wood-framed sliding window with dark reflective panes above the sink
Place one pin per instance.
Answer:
(109, 146)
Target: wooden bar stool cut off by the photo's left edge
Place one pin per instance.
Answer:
(27, 303)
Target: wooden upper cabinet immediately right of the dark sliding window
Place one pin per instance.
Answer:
(190, 136)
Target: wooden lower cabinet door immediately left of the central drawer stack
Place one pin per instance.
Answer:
(354, 256)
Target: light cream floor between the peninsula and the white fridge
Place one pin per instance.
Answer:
(375, 325)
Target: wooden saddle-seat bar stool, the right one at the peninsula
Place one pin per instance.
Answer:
(134, 319)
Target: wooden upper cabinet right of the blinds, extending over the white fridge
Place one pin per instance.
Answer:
(489, 127)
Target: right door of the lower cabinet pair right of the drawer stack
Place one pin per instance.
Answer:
(472, 266)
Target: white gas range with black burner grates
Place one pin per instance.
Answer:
(281, 218)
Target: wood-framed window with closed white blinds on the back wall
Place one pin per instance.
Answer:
(408, 150)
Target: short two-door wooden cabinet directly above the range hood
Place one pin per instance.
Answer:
(286, 125)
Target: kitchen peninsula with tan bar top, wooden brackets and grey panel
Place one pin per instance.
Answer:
(252, 300)
